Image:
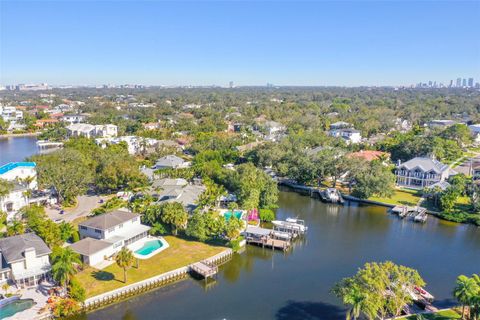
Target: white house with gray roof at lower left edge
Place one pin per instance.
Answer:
(24, 259)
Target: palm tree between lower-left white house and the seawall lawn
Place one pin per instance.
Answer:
(63, 260)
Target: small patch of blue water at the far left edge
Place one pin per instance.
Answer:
(17, 149)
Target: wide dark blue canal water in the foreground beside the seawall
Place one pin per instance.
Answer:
(261, 284)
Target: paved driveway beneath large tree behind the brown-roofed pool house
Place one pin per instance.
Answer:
(85, 205)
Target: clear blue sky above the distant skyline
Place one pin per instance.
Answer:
(251, 43)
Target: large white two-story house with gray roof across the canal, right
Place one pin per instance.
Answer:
(421, 172)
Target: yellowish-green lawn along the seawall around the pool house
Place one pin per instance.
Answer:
(180, 253)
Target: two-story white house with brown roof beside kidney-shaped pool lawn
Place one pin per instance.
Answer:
(104, 235)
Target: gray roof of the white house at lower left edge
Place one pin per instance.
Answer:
(13, 248)
